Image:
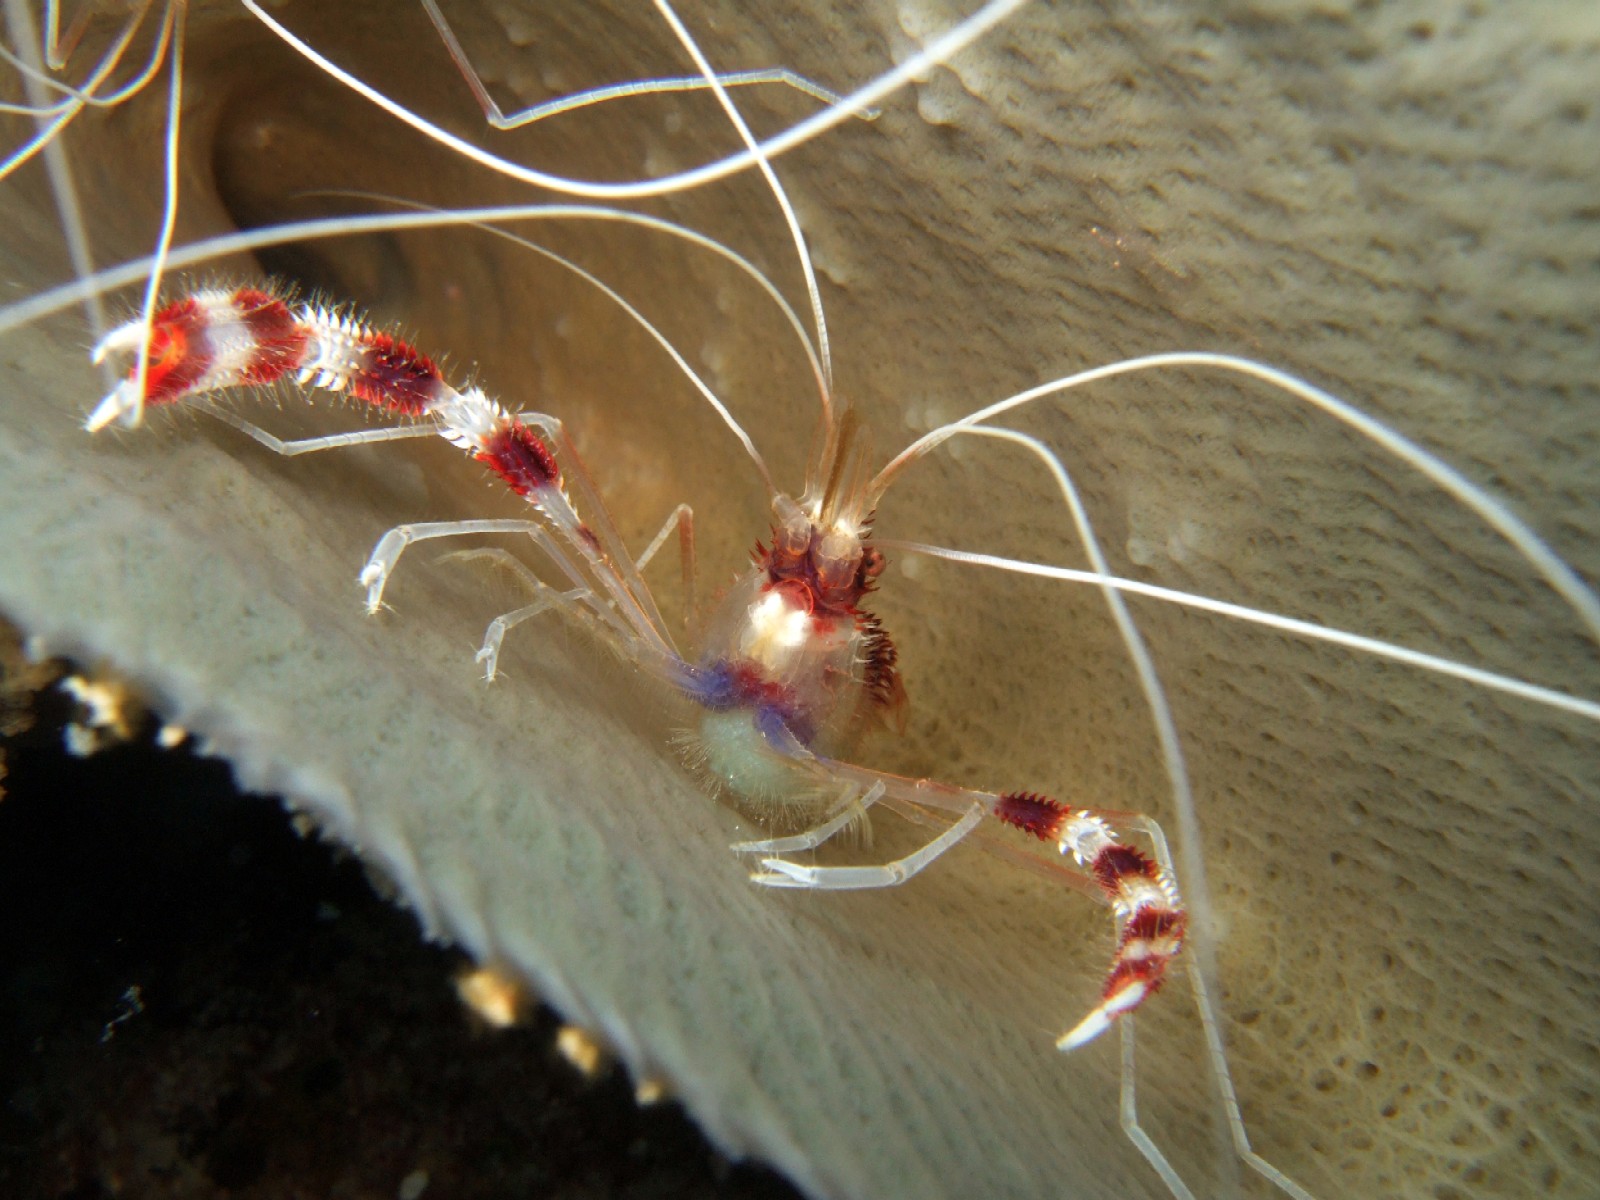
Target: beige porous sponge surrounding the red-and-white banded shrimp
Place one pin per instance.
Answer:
(1394, 204)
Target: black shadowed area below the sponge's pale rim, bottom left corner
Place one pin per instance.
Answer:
(196, 1002)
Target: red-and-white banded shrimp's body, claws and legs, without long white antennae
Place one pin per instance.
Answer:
(794, 666)
